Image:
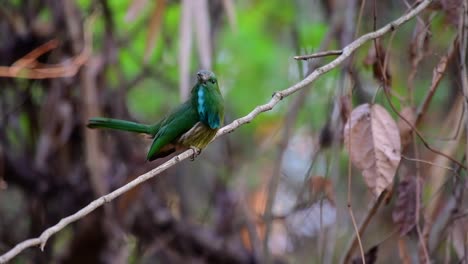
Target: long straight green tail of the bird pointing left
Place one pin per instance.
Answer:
(118, 124)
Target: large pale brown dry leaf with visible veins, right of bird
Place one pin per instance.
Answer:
(373, 141)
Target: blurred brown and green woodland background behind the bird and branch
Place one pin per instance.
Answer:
(275, 189)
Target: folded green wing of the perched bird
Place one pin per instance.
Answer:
(172, 127)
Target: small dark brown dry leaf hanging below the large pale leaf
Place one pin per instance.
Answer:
(404, 213)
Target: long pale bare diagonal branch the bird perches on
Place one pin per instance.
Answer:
(277, 97)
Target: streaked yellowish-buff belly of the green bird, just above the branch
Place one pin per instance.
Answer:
(198, 136)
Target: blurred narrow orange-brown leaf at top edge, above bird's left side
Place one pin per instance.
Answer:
(154, 28)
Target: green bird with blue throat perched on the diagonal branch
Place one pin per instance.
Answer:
(192, 124)
